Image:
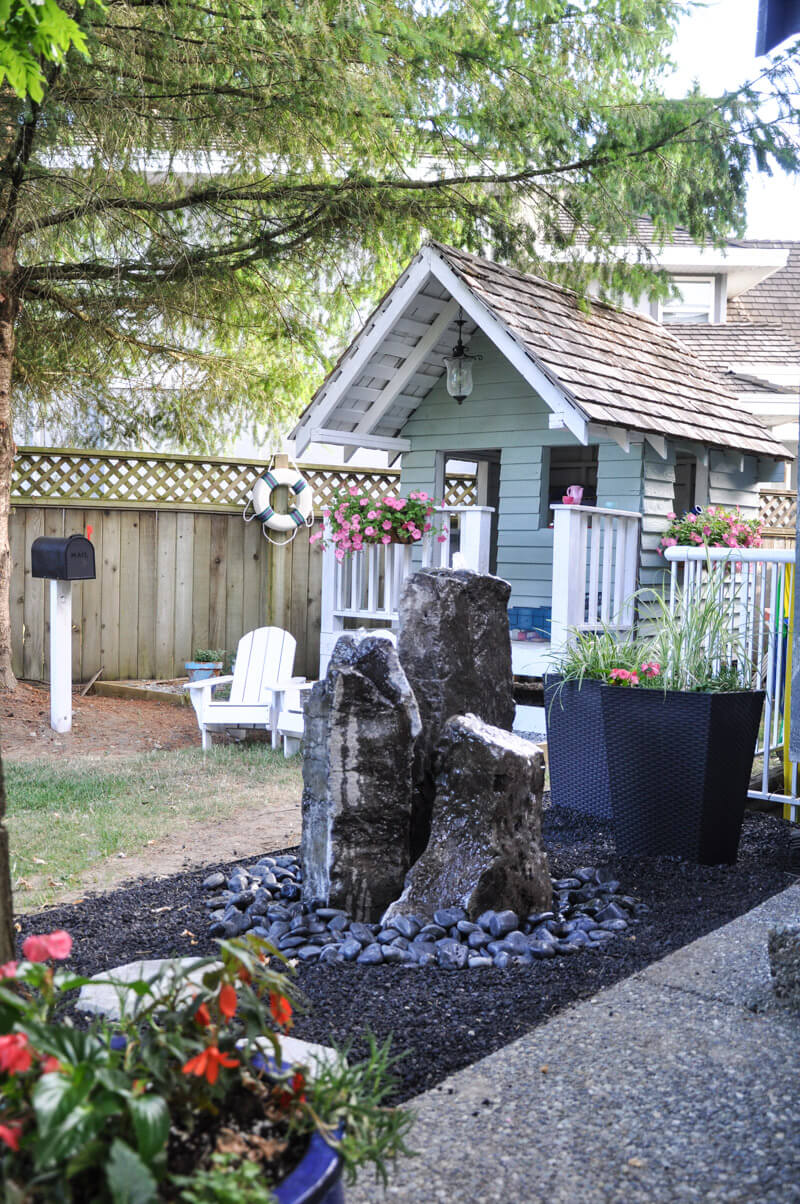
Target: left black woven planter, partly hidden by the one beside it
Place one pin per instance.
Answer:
(577, 747)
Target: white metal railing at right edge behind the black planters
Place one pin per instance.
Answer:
(754, 585)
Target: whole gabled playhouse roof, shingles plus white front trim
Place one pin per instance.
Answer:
(591, 363)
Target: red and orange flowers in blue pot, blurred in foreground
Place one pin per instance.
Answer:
(186, 1101)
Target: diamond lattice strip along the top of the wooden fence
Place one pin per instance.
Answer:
(151, 481)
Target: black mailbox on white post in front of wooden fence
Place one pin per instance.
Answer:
(62, 562)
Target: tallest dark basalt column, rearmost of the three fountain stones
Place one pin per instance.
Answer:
(455, 648)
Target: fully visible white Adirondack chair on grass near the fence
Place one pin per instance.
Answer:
(263, 671)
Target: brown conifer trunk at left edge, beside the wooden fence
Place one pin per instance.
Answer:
(9, 308)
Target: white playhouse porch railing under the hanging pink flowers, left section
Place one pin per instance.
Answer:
(364, 588)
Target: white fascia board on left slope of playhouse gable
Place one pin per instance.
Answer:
(358, 357)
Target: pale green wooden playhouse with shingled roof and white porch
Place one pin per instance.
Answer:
(605, 399)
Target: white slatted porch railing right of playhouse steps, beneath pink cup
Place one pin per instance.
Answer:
(596, 570)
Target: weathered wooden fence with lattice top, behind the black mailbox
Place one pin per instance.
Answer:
(178, 568)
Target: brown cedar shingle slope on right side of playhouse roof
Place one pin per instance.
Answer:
(619, 368)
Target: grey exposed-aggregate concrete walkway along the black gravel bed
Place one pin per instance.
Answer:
(680, 1084)
